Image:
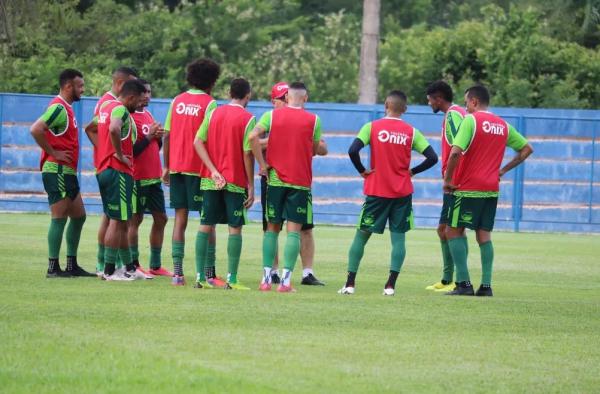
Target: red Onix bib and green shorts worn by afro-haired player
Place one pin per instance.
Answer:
(186, 114)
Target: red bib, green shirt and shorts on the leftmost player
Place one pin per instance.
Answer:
(60, 178)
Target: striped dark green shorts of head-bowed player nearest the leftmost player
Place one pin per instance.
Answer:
(116, 190)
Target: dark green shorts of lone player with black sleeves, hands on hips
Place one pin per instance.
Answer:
(377, 211)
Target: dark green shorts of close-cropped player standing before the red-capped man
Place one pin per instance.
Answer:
(283, 203)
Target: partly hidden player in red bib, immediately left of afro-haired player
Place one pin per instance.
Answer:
(147, 172)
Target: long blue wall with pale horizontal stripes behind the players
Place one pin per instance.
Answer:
(558, 189)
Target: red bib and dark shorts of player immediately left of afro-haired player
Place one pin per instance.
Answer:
(147, 168)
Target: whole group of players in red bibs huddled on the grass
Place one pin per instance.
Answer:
(209, 162)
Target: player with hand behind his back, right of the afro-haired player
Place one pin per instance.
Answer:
(227, 178)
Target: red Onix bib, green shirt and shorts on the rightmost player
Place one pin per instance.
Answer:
(483, 138)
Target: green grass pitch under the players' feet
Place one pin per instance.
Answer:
(540, 333)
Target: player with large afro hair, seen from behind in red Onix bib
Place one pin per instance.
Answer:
(182, 164)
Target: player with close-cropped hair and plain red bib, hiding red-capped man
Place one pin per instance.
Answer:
(294, 136)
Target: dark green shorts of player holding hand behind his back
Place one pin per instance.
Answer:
(223, 206)
